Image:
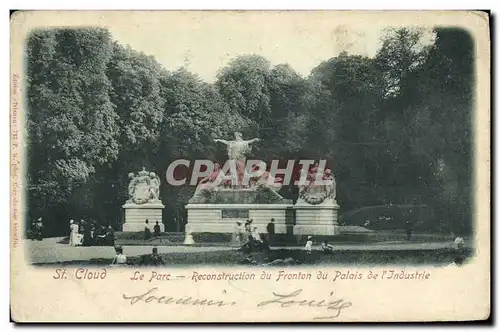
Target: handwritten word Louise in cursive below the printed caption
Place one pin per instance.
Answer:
(288, 300)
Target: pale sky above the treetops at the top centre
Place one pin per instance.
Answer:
(205, 43)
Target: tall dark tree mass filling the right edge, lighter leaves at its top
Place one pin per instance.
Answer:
(428, 121)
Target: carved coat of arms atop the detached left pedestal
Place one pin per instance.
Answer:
(144, 187)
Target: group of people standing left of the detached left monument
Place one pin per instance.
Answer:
(87, 234)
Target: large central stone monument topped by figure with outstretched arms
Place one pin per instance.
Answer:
(217, 205)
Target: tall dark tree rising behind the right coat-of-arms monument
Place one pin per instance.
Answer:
(343, 109)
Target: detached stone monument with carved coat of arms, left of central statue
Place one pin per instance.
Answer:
(143, 202)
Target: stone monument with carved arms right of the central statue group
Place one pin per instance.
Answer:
(316, 210)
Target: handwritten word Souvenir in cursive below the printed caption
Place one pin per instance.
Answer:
(165, 299)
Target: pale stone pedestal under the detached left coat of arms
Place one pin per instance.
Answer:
(136, 215)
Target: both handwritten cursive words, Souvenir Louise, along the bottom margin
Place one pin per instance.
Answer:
(284, 300)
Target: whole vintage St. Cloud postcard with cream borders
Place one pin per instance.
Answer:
(250, 166)
